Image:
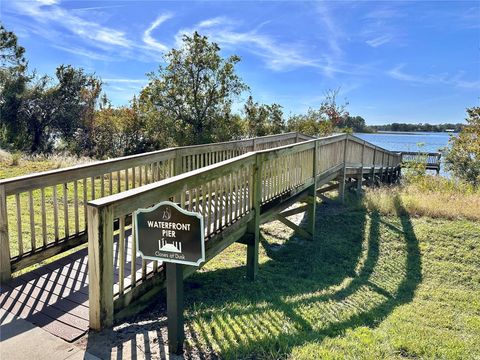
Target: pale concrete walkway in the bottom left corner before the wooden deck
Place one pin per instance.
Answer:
(20, 339)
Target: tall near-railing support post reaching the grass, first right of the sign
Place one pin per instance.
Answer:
(253, 226)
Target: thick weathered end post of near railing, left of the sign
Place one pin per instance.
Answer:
(100, 266)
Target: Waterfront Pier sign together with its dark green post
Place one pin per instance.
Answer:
(168, 233)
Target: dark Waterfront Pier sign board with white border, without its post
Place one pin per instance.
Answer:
(168, 233)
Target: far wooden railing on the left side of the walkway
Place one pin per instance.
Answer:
(44, 214)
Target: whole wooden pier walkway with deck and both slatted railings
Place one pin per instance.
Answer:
(236, 186)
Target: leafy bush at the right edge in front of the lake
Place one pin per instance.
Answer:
(463, 156)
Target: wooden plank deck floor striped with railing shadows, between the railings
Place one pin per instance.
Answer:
(55, 295)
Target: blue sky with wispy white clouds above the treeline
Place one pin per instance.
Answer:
(393, 61)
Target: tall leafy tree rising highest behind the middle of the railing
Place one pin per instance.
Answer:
(194, 89)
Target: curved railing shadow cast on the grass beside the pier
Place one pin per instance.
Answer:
(306, 291)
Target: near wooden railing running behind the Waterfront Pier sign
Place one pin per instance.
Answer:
(233, 196)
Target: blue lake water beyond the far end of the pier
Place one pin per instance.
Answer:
(431, 142)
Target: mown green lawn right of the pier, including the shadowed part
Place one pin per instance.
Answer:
(370, 286)
